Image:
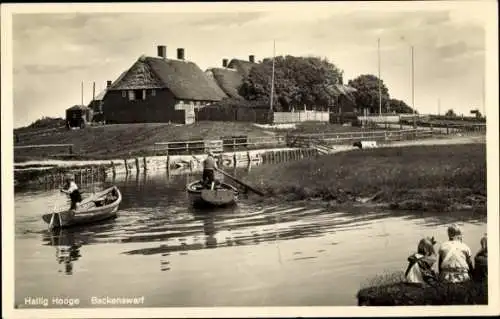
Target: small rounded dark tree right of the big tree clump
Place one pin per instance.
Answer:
(367, 95)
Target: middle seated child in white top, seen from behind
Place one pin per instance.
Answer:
(455, 258)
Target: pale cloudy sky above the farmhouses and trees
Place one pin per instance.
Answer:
(55, 51)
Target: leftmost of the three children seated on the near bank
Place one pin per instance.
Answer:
(419, 270)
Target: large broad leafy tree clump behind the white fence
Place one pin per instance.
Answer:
(298, 81)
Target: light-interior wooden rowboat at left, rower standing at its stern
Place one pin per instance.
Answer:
(98, 207)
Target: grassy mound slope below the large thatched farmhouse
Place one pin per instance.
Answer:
(102, 142)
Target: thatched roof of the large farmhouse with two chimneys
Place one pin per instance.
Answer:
(183, 78)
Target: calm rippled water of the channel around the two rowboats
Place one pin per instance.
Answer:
(250, 255)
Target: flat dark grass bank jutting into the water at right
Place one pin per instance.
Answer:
(427, 178)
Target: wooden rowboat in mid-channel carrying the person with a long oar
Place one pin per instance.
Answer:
(221, 195)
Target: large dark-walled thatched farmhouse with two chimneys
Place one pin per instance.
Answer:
(160, 89)
